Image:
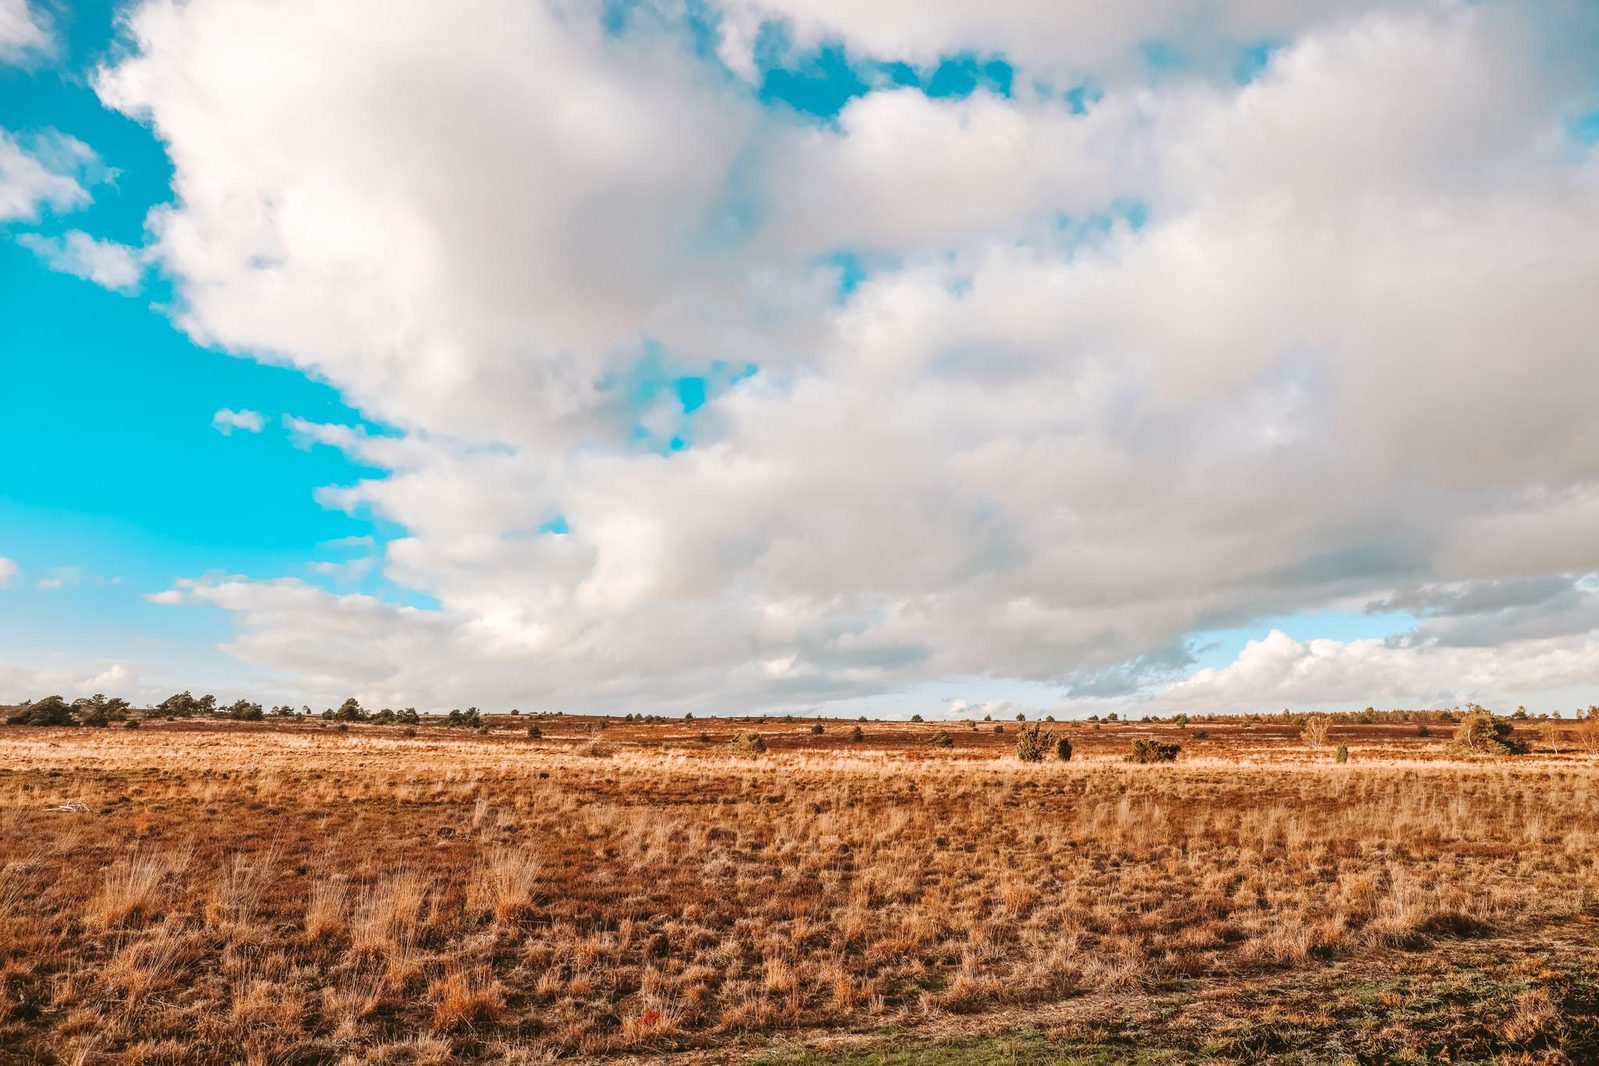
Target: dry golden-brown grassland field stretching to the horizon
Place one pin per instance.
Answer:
(297, 893)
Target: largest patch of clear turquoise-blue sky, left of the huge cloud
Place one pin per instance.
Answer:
(102, 498)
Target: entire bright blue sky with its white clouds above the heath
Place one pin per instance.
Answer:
(826, 383)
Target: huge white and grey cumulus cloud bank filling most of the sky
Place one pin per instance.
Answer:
(1194, 356)
